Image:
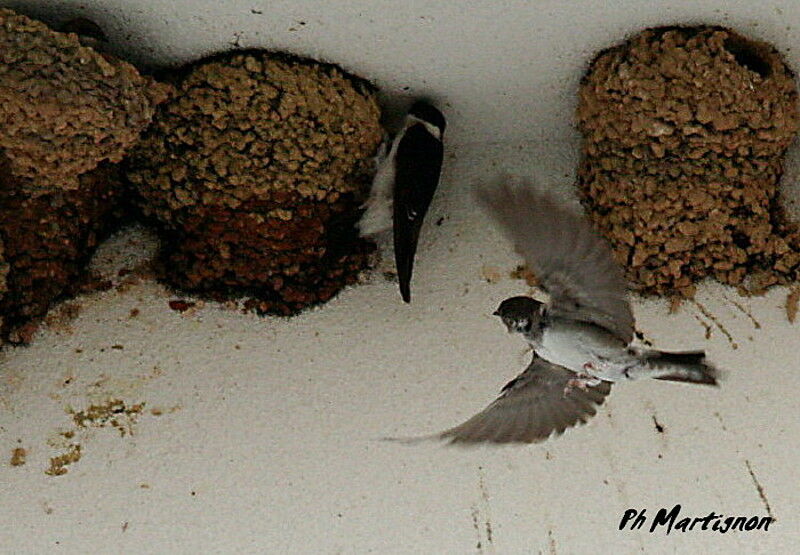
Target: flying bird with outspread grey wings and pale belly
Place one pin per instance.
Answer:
(581, 338)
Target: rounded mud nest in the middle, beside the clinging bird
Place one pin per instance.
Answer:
(254, 171)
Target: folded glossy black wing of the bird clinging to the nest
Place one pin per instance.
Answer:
(417, 169)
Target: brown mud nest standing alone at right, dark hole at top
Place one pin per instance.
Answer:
(684, 133)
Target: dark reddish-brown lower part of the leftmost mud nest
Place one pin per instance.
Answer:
(49, 239)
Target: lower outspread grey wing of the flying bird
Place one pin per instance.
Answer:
(531, 407)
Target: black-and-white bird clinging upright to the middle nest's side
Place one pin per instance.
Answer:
(404, 184)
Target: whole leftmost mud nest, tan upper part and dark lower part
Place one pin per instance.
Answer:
(67, 113)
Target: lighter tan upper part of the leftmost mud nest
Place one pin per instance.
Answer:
(65, 108)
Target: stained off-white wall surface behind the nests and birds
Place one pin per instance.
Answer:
(274, 446)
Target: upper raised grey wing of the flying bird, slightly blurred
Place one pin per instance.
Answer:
(572, 262)
